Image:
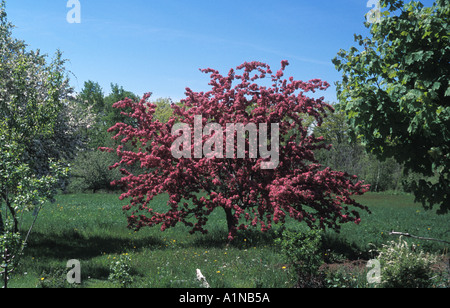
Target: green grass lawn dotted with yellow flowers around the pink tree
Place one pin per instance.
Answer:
(92, 229)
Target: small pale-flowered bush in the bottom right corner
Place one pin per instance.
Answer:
(403, 266)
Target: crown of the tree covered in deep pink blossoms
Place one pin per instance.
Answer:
(237, 183)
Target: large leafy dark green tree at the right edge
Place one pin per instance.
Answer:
(395, 91)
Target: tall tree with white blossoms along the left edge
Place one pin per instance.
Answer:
(40, 129)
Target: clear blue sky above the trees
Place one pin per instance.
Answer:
(159, 46)
